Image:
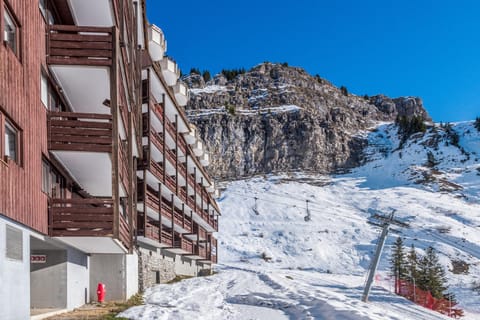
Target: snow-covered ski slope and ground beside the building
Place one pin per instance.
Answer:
(280, 261)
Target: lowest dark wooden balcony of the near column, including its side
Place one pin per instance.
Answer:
(86, 217)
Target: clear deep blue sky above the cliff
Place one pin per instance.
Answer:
(420, 48)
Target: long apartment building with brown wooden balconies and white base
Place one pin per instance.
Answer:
(102, 178)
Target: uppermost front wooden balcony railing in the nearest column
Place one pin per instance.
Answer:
(74, 45)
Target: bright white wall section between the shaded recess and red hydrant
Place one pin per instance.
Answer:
(78, 279)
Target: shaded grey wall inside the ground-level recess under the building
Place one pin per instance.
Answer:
(49, 280)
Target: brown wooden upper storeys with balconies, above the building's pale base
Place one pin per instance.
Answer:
(163, 199)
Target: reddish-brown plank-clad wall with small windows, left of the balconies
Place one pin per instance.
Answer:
(21, 196)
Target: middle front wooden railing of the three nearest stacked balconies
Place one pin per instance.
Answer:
(69, 131)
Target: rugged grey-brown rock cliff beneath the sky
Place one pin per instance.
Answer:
(277, 118)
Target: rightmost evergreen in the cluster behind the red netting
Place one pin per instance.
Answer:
(431, 275)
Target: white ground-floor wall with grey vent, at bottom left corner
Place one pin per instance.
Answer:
(14, 278)
